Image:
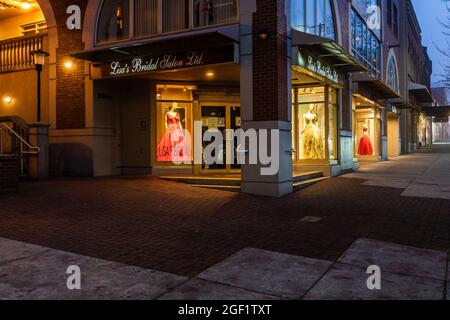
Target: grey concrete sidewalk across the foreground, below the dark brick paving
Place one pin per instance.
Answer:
(38, 273)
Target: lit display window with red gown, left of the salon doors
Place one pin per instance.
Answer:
(174, 124)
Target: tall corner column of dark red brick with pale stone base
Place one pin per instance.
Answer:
(266, 88)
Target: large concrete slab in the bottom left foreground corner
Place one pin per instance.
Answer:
(43, 276)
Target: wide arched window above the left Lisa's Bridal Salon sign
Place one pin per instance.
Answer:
(125, 19)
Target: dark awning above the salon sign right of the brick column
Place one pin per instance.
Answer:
(328, 51)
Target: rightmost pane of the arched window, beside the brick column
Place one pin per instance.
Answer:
(213, 12)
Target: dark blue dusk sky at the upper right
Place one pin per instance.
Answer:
(429, 12)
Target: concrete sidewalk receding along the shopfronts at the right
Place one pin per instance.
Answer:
(425, 174)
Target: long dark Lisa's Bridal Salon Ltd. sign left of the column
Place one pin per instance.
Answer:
(164, 62)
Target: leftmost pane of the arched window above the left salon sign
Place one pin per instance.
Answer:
(114, 21)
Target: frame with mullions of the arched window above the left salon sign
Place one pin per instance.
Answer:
(160, 33)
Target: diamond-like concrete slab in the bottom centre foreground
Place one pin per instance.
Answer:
(268, 272)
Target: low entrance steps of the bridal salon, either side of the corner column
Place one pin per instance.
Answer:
(233, 182)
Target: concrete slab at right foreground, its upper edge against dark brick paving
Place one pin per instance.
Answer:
(397, 258)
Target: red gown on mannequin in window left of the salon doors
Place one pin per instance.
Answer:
(173, 146)
